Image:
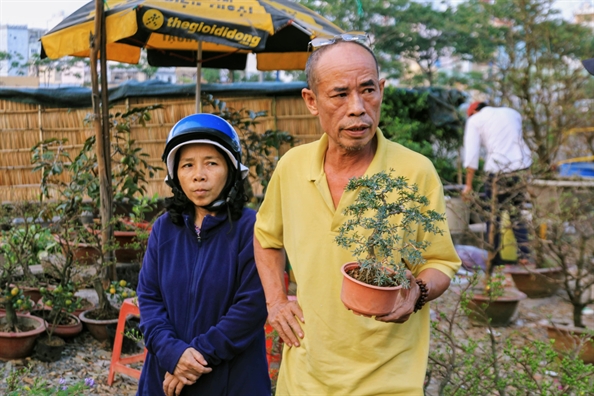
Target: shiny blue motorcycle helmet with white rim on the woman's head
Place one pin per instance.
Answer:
(207, 129)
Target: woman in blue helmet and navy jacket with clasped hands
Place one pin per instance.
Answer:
(201, 301)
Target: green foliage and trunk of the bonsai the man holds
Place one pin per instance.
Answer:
(380, 229)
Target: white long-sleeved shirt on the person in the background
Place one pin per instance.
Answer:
(499, 131)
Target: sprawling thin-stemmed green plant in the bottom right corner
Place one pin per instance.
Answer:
(462, 363)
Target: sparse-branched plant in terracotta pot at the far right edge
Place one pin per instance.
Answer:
(569, 243)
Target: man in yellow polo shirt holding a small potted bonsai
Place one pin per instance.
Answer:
(330, 350)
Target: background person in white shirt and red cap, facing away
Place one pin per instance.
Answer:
(508, 159)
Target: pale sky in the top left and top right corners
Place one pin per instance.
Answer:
(45, 14)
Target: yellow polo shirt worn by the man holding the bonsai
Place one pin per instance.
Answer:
(342, 353)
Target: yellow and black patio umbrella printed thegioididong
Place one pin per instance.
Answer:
(212, 33)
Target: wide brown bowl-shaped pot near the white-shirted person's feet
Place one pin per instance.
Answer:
(537, 282)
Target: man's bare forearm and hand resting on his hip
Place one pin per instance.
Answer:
(282, 313)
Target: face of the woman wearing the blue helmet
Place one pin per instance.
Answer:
(202, 173)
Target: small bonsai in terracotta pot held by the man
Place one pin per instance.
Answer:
(380, 231)
